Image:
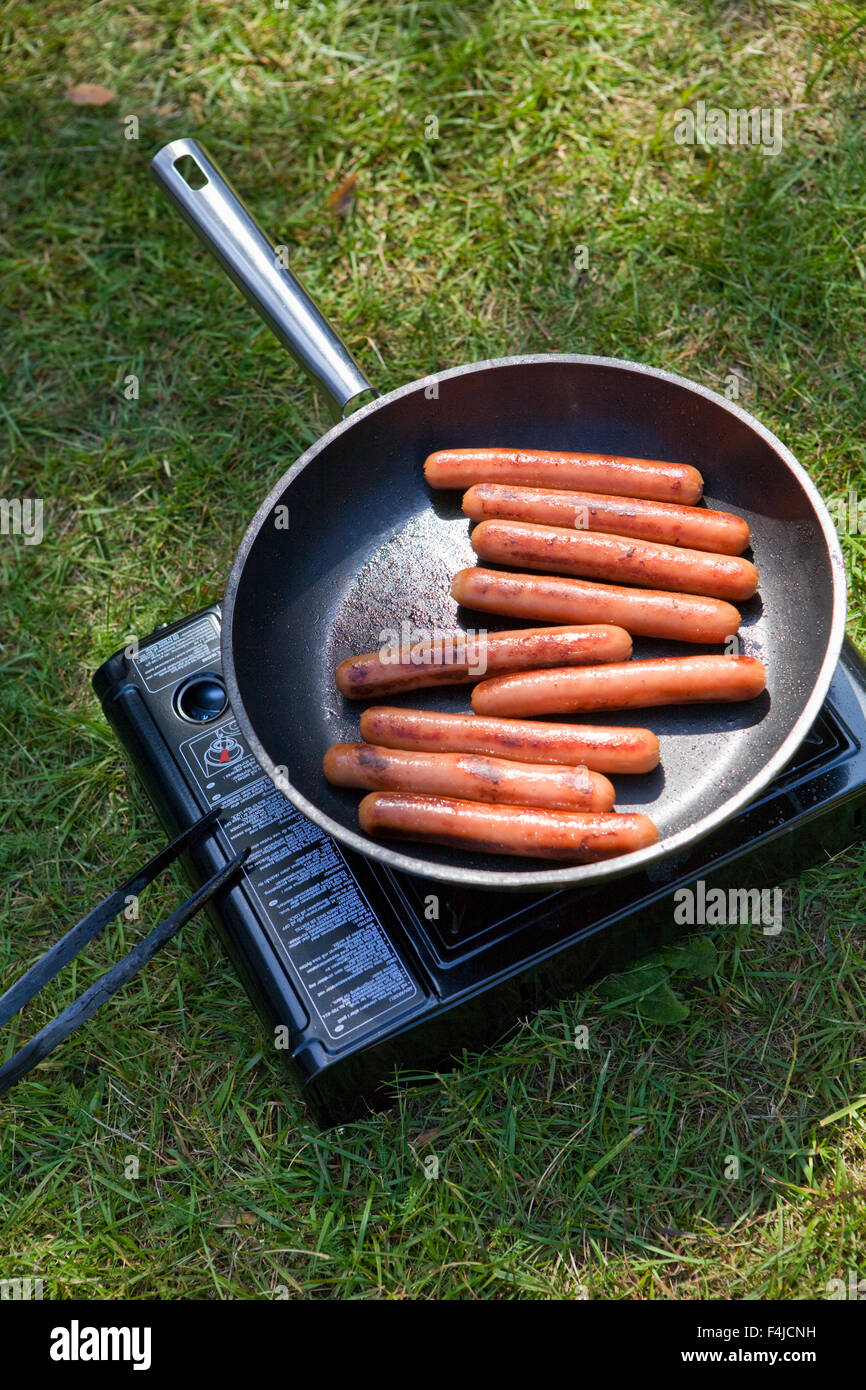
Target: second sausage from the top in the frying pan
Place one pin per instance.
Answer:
(697, 528)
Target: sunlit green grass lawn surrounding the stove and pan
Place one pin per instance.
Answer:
(562, 1174)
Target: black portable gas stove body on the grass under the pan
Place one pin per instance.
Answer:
(358, 971)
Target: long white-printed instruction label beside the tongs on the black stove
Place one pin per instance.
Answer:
(343, 960)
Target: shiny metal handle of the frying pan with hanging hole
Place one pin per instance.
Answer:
(233, 236)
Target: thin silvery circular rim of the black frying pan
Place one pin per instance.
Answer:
(575, 875)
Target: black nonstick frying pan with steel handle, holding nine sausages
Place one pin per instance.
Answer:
(351, 543)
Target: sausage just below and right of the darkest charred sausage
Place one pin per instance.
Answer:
(669, 680)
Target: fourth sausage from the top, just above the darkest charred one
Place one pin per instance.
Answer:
(687, 618)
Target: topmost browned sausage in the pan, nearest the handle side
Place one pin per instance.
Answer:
(547, 469)
